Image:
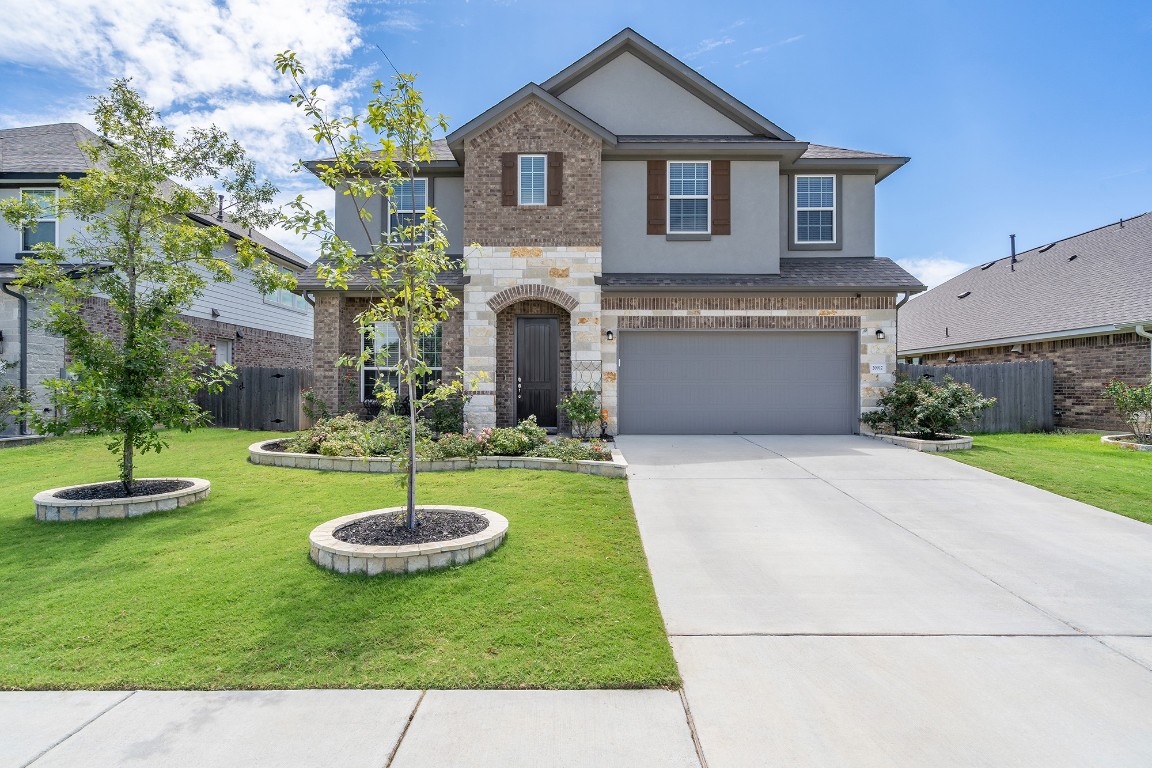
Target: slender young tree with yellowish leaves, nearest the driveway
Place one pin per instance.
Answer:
(405, 257)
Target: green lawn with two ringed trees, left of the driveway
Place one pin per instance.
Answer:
(223, 596)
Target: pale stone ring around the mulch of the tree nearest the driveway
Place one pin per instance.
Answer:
(329, 552)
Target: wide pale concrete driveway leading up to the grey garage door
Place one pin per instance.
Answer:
(839, 602)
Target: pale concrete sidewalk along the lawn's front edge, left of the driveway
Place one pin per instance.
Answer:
(350, 729)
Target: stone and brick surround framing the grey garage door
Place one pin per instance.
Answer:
(762, 311)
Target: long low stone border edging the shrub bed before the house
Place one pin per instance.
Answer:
(618, 468)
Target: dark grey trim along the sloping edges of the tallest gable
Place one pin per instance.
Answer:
(632, 42)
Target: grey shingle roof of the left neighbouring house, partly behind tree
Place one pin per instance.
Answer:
(48, 153)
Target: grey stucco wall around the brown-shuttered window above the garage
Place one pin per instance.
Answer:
(751, 249)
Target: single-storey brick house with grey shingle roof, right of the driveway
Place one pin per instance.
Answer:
(1081, 302)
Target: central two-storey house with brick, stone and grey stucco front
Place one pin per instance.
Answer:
(643, 233)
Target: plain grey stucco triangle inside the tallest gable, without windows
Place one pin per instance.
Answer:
(628, 97)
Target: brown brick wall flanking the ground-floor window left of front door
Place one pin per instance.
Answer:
(337, 333)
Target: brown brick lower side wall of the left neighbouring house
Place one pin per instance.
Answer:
(259, 348)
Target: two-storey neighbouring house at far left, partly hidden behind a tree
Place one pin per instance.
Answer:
(245, 326)
